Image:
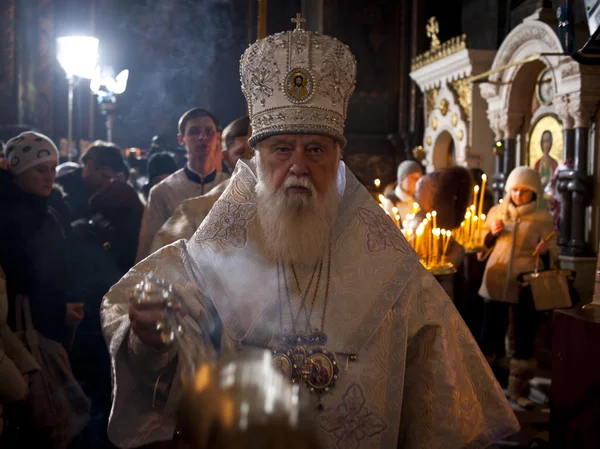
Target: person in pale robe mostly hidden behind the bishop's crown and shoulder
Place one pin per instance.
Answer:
(190, 213)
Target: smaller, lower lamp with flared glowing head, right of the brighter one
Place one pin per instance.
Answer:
(106, 86)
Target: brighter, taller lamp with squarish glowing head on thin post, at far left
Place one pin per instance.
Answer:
(77, 55)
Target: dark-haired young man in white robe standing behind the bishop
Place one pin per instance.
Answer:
(199, 135)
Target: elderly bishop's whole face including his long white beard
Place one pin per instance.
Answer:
(296, 195)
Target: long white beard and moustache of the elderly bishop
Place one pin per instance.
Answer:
(297, 227)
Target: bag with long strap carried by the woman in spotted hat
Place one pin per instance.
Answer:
(58, 407)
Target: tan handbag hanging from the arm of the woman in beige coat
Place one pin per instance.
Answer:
(551, 289)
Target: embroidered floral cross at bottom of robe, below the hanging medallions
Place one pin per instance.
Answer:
(351, 422)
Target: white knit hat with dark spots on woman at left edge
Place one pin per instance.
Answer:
(27, 150)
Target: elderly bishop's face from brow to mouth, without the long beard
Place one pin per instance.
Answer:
(307, 158)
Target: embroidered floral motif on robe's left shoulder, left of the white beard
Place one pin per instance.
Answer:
(227, 223)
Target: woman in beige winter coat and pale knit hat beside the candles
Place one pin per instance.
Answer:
(515, 233)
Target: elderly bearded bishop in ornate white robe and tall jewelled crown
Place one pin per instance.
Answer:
(397, 367)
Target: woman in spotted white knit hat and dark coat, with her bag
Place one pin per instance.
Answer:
(43, 309)
